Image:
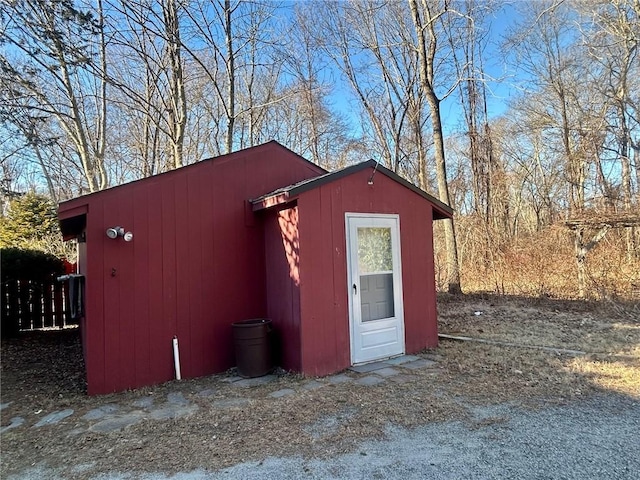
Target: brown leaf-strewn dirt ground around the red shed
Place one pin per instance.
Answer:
(44, 372)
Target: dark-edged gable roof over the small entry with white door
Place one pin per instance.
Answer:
(291, 192)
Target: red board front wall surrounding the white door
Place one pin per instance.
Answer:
(323, 291)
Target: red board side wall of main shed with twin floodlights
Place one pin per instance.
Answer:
(195, 265)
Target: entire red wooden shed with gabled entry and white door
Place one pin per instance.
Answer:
(341, 262)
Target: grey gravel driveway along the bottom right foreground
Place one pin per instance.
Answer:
(597, 438)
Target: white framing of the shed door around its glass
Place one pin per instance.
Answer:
(352, 222)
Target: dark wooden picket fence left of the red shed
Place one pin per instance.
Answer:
(33, 305)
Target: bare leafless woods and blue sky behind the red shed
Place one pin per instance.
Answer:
(545, 188)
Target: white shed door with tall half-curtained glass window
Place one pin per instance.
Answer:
(375, 286)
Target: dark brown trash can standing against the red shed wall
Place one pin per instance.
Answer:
(252, 342)
